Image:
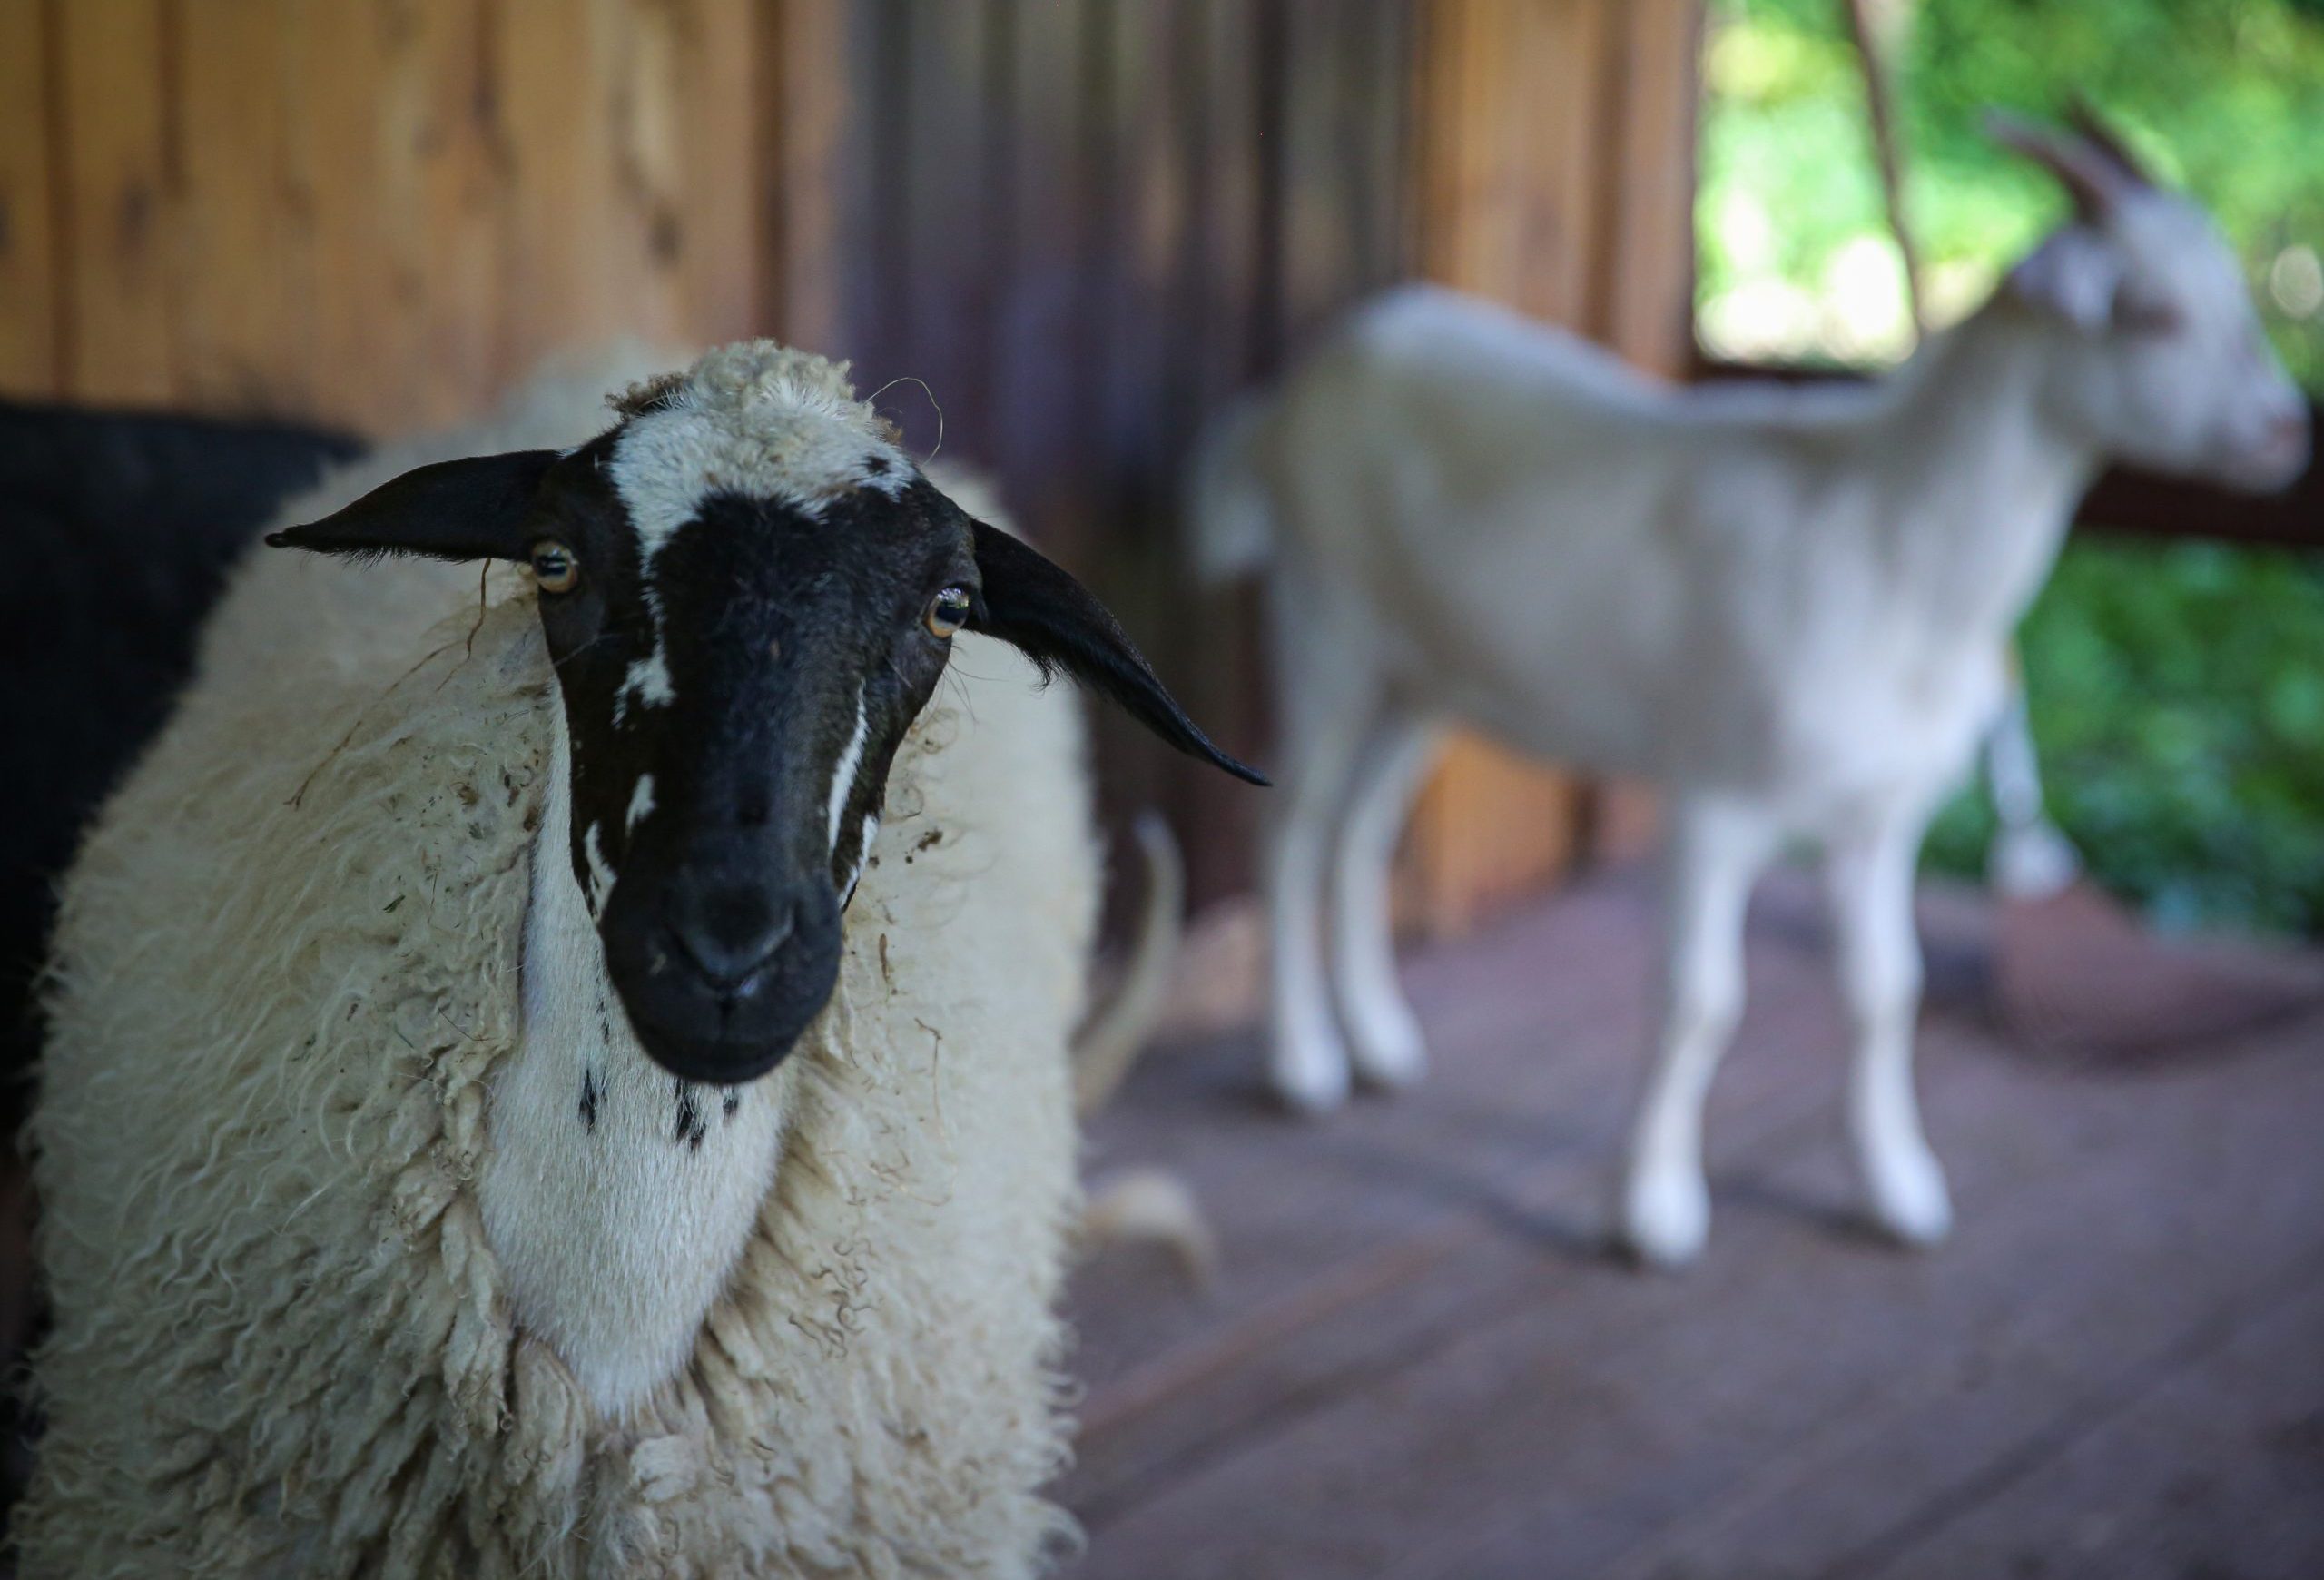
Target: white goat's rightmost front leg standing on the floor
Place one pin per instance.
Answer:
(1870, 877)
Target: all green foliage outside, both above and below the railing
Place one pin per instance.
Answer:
(2176, 689)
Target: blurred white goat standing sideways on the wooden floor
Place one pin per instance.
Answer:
(1786, 605)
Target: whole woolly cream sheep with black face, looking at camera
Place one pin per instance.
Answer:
(380, 1228)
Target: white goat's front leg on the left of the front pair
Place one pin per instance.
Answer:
(1716, 854)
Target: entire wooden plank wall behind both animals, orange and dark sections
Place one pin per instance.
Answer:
(1077, 227)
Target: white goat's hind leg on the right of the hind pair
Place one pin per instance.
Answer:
(1384, 1037)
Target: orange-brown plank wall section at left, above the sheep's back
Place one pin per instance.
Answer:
(368, 213)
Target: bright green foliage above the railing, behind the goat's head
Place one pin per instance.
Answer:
(2218, 96)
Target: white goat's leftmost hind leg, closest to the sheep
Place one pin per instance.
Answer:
(1328, 698)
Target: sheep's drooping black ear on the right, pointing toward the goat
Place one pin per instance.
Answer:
(1056, 622)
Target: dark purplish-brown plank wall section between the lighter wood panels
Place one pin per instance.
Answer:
(1082, 227)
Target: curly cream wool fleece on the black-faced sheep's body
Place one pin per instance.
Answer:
(285, 977)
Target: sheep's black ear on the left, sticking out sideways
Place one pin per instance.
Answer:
(457, 510)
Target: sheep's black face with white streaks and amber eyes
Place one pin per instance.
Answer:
(733, 714)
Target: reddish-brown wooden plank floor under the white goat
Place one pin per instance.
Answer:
(1419, 1363)
